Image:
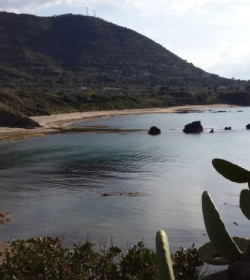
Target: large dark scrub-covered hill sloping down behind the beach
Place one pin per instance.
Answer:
(75, 62)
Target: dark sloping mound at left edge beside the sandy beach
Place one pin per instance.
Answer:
(9, 119)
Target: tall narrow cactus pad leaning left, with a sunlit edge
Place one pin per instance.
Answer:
(217, 232)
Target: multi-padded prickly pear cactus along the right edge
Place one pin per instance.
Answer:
(224, 249)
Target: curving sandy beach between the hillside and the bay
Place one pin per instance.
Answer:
(56, 122)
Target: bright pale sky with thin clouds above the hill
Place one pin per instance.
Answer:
(212, 34)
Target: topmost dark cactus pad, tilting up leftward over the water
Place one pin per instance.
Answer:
(231, 171)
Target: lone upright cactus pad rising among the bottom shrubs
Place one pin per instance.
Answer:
(163, 256)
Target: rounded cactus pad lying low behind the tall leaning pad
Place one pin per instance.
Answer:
(210, 255)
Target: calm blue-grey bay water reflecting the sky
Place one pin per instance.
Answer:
(53, 185)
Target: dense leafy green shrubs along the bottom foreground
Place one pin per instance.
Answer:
(47, 259)
